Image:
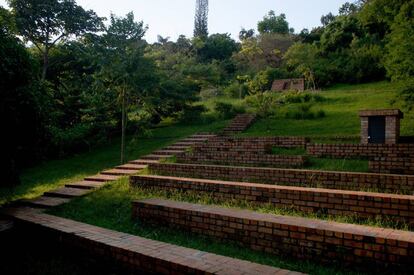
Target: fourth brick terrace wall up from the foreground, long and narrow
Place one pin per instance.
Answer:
(292, 177)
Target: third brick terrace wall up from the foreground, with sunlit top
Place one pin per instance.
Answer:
(398, 208)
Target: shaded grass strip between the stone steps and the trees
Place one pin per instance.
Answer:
(51, 174)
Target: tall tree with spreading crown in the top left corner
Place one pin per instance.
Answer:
(46, 22)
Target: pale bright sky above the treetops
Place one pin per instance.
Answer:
(170, 18)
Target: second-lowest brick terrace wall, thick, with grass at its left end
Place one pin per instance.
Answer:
(368, 247)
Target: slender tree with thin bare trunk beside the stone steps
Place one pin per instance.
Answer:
(124, 69)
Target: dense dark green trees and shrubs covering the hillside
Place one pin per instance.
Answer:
(79, 80)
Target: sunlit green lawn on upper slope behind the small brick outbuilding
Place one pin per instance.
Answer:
(341, 107)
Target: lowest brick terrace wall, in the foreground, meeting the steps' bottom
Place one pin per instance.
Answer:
(139, 254)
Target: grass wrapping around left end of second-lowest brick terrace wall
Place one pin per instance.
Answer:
(110, 208)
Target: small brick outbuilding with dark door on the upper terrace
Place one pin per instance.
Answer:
(380, 126)
